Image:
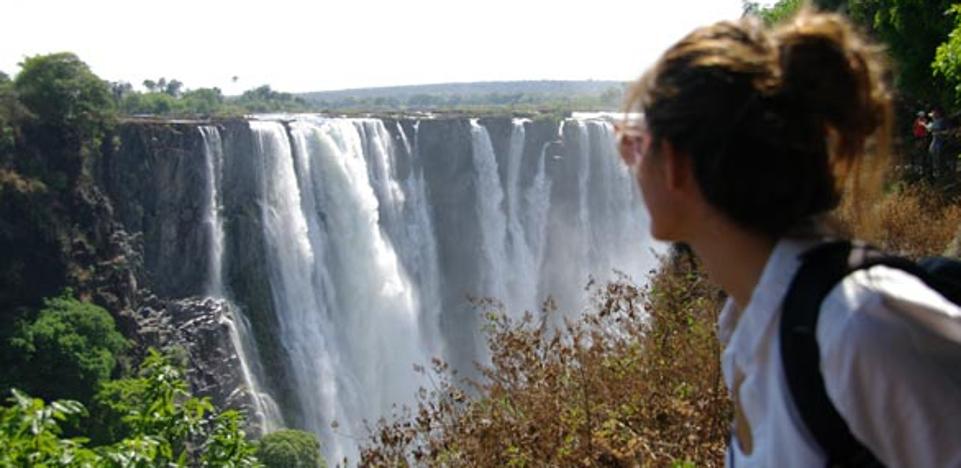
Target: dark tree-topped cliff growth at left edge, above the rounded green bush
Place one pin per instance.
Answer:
(54, 118)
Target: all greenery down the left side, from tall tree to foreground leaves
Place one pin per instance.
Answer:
(67, 297)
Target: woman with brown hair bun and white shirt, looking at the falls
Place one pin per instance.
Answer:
(748, 136)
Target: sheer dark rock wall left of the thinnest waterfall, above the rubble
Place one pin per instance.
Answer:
(156, 182)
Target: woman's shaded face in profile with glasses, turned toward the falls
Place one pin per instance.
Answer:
(638, 152)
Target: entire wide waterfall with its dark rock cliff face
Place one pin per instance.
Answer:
(346, 250)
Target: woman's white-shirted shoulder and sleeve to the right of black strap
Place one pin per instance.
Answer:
(891, 360)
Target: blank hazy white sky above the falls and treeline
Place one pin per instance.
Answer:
(335, 44)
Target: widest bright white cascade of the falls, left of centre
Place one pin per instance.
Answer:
(349, 314)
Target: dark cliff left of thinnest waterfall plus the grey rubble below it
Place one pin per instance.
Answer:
(155, 180)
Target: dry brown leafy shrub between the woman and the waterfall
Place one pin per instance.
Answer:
(635, 383)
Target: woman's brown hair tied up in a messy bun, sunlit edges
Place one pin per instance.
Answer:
(774, 120)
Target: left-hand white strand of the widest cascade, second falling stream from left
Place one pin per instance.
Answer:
(298, 290)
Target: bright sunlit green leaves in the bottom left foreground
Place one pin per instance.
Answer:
(163, 424)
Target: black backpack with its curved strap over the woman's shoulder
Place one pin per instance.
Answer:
(822, 268)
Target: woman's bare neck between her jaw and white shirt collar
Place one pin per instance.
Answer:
(733, 257)
